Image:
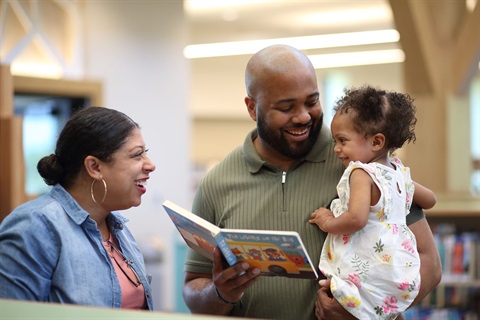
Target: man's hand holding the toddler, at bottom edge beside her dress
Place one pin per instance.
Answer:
(327, 307)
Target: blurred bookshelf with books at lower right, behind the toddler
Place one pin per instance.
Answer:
(455, 223)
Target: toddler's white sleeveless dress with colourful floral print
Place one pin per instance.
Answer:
(375, 272)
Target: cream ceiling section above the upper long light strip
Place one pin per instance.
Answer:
(233, 20)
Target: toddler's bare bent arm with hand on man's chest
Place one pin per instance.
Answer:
(359, 206)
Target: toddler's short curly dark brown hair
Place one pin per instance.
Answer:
(375, 110)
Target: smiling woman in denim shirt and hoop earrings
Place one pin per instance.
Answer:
(70, 245)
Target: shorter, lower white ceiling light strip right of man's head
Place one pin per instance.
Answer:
(323, 61)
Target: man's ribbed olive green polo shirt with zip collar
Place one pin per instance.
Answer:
(245, 192)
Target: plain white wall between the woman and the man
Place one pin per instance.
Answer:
(135, 49)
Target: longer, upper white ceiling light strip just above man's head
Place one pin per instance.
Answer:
(302, 43)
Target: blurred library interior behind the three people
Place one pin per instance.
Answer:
(177, 68)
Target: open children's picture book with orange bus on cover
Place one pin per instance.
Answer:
(275, 253)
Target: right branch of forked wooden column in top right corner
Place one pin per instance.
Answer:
(466, 55)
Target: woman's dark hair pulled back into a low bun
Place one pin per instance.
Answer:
(95, 131)
